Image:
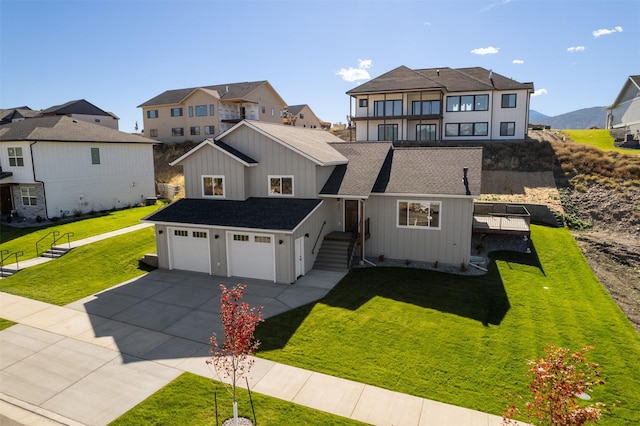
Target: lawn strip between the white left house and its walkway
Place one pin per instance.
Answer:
(24, 239)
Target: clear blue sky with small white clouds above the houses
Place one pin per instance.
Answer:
(118, 54)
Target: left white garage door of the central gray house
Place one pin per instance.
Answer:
(189, 249)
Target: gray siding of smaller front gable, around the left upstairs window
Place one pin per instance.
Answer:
(210, 161)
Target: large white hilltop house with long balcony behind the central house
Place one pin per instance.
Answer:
(440, 104)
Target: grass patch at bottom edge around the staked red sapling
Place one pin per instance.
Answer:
(189, 400)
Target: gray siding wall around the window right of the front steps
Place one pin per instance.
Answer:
(451, 244)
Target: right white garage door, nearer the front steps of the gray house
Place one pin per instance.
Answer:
(251, 255)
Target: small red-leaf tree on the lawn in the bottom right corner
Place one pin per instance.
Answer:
(558, 381)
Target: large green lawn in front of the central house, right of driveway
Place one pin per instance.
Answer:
(465, 340)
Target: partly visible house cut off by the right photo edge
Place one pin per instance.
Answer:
(624, 113)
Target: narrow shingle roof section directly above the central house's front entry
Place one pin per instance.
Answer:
(358, 177)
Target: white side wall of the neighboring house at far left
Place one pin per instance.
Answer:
(124, 177)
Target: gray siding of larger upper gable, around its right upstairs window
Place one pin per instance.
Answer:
(275, 160)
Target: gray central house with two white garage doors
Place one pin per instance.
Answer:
(262, 197)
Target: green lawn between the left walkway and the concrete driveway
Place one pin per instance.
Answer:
(84, 270)
